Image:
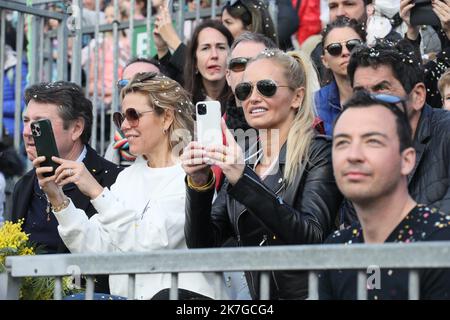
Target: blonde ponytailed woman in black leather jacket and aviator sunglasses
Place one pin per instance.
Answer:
(282, 192)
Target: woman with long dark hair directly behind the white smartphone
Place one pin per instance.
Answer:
(206, 62)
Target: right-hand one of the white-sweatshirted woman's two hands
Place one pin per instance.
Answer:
(76, 172)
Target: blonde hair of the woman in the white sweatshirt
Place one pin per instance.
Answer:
(164, 94)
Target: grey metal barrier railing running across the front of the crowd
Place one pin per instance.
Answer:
(312, 258)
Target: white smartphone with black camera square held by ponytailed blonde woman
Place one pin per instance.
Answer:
(209, 131)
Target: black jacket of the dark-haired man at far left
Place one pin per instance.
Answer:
(105, 173)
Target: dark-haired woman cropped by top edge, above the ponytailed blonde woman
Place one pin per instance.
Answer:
(248, 15)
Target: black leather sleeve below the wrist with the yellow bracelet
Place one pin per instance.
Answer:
(207, 224)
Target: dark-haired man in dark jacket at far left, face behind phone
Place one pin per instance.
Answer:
(70, 113)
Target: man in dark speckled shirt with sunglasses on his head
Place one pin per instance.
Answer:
(372, 157)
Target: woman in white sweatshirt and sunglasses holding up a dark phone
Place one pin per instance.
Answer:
(145, 209)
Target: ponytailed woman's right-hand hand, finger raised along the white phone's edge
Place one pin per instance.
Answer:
(229, 158)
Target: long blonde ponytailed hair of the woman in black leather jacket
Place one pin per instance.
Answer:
(298, 71)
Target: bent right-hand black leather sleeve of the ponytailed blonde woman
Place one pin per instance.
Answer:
(312, 217)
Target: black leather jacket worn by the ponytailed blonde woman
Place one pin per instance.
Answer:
(255, 214)
